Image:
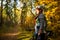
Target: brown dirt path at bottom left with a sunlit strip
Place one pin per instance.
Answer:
(9, 36)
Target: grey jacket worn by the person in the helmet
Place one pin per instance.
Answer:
(41, 22)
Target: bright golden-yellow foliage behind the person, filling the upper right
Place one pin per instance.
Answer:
(51, 7)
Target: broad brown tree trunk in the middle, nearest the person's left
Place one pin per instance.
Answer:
(23, 12)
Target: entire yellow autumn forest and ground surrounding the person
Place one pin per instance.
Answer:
(17, 18)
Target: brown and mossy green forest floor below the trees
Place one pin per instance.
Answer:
(14, 34)
